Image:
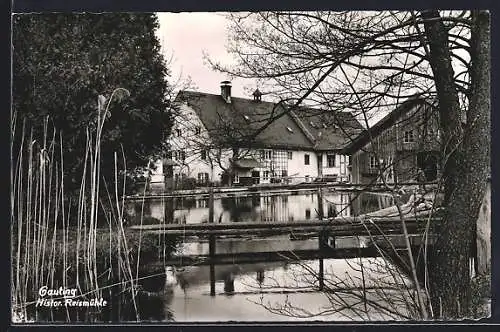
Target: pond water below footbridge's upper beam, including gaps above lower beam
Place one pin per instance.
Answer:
(264, 292)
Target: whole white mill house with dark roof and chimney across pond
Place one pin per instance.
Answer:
(221, 139)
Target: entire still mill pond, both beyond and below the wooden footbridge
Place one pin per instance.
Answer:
(278, 290)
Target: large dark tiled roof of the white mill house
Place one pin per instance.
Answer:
(239, 120)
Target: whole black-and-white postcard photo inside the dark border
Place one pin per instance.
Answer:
(271, 166)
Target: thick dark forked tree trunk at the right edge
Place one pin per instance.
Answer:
(466, 163)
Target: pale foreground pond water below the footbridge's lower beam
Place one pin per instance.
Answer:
(279, 291)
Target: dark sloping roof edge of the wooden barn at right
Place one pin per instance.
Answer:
(387, 121)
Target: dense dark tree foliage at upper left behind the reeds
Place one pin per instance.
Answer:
(62, 63)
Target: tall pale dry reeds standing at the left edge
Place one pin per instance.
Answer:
(56, 242)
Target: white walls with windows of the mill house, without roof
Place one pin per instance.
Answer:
(194, 156)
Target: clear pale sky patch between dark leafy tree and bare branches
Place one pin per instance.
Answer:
(184, 38)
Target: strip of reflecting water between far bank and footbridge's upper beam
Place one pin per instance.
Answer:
(258, 207)
